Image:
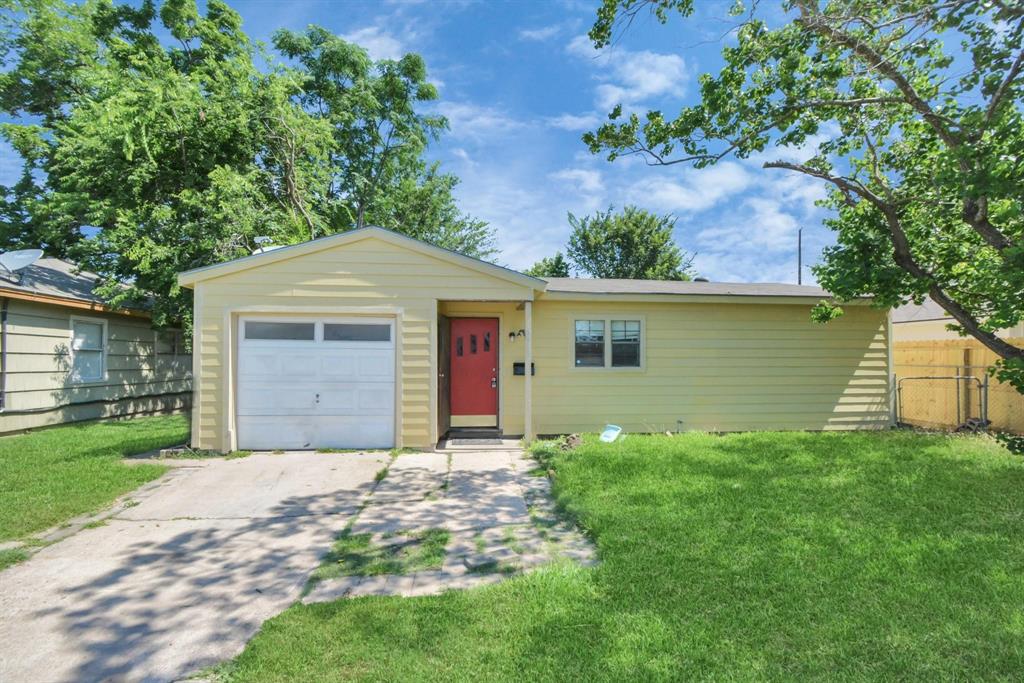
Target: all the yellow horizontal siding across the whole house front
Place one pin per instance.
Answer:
(708, 366)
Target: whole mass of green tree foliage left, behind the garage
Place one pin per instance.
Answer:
(145, 159)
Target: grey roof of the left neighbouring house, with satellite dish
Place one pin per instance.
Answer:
(58, 282)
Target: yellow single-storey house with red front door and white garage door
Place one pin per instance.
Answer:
(370, 338)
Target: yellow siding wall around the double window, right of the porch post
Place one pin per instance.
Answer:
(729, 367)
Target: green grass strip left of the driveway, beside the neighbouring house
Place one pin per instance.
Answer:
(50, 477)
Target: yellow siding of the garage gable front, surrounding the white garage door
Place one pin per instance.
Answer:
(366, 274)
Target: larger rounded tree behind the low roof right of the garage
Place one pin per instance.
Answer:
(633, 244)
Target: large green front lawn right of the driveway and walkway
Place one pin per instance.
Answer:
(884, 557)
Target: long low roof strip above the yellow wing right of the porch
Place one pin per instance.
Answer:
(592, 286)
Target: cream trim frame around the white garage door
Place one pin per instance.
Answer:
(230, 349)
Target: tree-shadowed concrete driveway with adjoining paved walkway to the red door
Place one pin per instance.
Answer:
(183, 577)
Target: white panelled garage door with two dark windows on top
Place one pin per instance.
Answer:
(316, 385)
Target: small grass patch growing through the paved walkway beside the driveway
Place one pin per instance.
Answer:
(405, 552)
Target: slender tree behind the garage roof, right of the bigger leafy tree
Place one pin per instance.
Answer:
(377, 173)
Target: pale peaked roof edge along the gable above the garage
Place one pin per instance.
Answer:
(190, 278)
